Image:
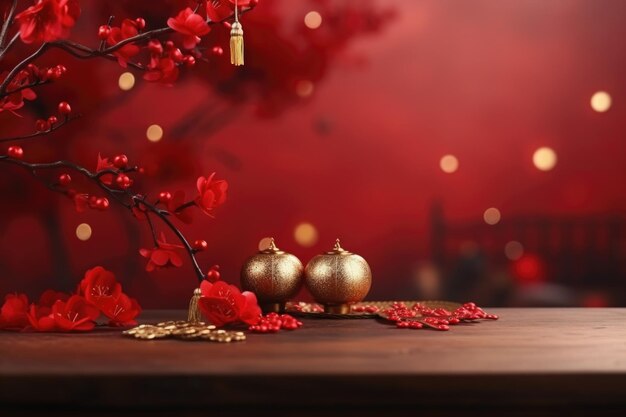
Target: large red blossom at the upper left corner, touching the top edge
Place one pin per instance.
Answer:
(48, 20)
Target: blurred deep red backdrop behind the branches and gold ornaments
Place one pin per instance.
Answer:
(487, 81)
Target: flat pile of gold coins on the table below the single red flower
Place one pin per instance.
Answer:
(184, 330)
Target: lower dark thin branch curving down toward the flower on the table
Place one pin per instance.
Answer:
(124, 197)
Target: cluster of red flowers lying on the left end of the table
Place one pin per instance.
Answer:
(98, 293)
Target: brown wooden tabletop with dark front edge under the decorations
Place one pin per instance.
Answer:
(531, 360)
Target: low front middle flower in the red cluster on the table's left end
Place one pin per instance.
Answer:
(74, 315)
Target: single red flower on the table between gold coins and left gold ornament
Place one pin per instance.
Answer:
(222, 304)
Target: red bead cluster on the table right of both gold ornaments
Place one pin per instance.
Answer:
(418, 316)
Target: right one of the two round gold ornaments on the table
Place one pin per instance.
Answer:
(337, 279)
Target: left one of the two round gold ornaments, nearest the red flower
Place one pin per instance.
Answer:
(274, 276)
